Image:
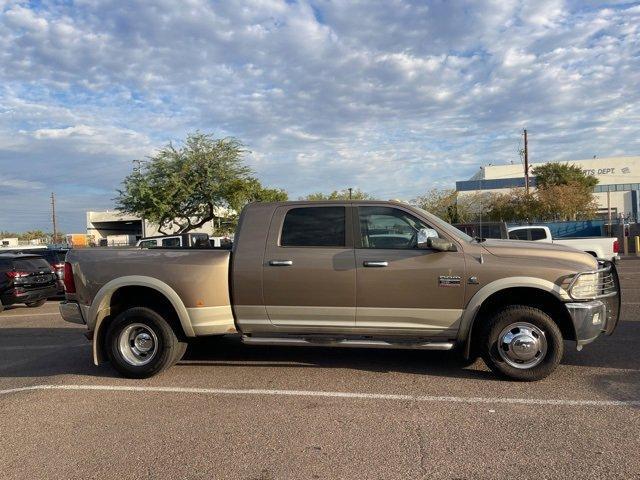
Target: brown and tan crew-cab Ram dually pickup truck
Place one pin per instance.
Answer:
(344, 274)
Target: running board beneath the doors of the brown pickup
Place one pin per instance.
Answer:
(307, 342)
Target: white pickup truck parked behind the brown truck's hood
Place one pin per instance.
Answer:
(606, 248)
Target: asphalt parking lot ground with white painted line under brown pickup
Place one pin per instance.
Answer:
(233, 411)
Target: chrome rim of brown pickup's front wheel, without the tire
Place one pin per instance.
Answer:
(522, 345)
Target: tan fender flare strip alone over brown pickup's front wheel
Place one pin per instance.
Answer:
(471, 311)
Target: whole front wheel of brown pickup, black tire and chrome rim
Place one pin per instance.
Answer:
(522, 343)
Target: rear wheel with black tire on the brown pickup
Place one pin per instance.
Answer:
(167, 348)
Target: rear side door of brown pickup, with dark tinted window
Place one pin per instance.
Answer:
(309, 274)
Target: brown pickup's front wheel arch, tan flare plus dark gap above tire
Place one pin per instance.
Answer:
(529, 291)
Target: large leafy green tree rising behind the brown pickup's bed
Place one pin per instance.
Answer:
(182, 188)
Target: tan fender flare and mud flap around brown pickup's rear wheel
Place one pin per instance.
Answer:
(100, 308)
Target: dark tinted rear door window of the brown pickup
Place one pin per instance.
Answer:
(314, 227)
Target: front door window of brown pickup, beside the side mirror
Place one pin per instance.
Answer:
(386, 227)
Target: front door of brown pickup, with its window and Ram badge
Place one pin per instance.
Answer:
(401, 288)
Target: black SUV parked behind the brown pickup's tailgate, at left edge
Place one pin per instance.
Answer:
(26, 278)
